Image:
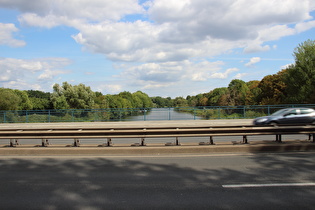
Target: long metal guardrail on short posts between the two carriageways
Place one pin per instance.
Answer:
(153, 132)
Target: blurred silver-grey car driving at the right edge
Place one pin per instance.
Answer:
(288, 116)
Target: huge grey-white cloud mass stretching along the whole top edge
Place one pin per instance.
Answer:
(170, 30)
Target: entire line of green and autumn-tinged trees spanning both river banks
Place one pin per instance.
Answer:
(295, 84)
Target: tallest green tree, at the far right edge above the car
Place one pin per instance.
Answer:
(300, 77)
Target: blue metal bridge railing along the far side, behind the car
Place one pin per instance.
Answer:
(142, 114)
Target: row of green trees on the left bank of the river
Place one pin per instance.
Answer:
(67, 96)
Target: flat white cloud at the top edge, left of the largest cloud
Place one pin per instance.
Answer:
(85, 10)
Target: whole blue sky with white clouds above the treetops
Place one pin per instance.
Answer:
(166, 48)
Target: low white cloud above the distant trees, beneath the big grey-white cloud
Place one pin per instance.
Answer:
(177, 76)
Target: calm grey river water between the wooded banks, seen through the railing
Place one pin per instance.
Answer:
(163, 114)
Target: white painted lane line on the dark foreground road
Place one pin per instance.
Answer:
(269, 185)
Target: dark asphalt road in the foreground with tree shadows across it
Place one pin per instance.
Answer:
(220, 181)
